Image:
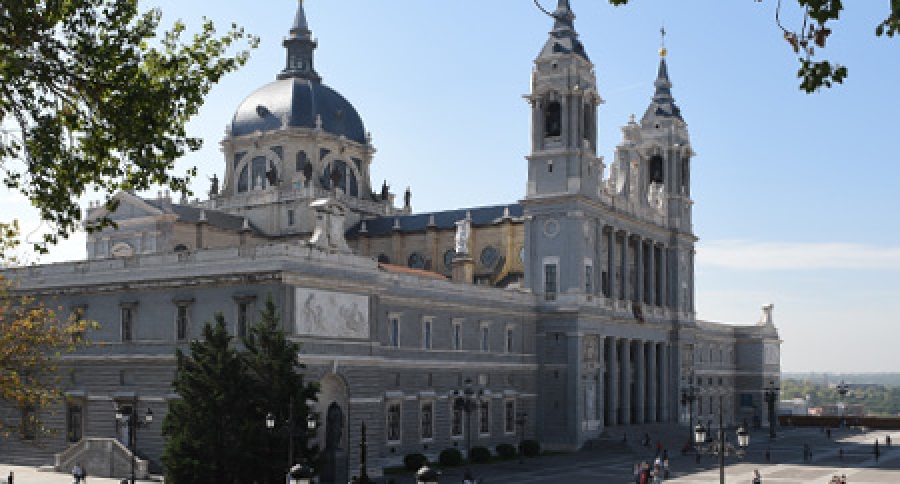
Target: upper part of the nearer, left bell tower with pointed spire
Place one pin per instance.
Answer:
(564, 101)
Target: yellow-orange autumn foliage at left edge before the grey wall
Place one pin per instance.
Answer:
(33, 336)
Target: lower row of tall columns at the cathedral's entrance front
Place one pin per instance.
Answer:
(638, 384)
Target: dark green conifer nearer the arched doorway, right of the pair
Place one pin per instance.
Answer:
(279, 389)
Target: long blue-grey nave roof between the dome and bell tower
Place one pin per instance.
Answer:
(480, 216)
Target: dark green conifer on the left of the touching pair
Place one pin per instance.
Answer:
(210, 430)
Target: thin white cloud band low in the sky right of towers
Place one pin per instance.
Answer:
(749, 255)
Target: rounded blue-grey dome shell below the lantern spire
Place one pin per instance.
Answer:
(298, 101)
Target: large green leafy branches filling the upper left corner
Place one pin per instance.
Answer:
(99, 99)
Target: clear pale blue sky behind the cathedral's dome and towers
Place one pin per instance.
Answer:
(796, 194)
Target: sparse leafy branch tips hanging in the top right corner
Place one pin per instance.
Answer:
(813, 33)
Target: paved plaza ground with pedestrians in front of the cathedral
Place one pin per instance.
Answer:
(850, 453)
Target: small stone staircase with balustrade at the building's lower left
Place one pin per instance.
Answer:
(101, 457)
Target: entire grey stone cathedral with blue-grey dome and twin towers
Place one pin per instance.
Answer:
(568, 315)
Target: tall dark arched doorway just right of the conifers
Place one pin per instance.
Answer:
(332, 408)
